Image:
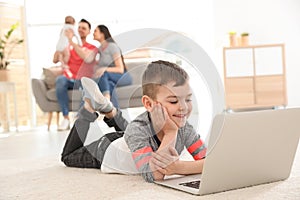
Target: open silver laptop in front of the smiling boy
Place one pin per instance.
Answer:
(245, 149)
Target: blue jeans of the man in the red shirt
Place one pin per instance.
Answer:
(63, 84)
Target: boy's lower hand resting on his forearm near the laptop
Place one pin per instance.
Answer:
(166, 162)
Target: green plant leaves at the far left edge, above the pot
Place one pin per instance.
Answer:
(7, 44)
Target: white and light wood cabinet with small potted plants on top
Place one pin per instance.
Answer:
(254, 76)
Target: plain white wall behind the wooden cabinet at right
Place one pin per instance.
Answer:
(267, 21)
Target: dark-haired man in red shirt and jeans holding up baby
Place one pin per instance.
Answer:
(75, 69)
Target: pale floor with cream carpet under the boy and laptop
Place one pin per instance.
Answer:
(31, 168)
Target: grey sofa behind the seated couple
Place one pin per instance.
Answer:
(128, 96)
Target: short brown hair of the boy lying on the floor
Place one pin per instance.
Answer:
(160, 73)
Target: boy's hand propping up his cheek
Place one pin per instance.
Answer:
(161, 120)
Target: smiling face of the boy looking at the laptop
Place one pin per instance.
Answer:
(177, 101)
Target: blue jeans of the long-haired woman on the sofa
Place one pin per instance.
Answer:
(108, 81)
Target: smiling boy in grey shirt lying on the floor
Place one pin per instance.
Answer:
(155, 138)
